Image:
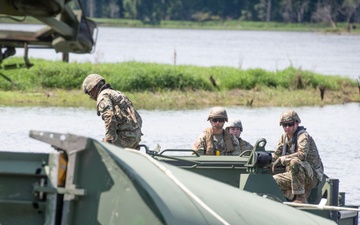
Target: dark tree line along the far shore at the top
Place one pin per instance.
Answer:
(287, 11)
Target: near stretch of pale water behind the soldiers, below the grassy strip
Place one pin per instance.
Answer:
(335, 129)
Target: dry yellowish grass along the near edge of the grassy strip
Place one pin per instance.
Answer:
(172, 100)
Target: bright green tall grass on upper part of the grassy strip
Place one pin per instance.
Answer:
(138, 77)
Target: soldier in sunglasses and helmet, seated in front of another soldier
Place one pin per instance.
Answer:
(215, 140)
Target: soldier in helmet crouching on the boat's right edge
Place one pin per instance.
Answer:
(297, 152)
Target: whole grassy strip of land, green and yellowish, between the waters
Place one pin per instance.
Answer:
(159, 86)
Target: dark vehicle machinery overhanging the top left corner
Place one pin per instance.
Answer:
(66, 30)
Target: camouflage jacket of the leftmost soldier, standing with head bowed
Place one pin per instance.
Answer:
(120, 117)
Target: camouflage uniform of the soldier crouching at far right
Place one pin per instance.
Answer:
(304, 169)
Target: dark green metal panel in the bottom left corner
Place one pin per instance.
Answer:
(19, 173)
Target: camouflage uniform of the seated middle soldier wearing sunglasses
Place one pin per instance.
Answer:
(208, 143)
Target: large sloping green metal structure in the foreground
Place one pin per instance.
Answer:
(109, 185)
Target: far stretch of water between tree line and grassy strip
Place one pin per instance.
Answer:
(330, 54)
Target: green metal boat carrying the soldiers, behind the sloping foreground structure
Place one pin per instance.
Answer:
(252, 172)
